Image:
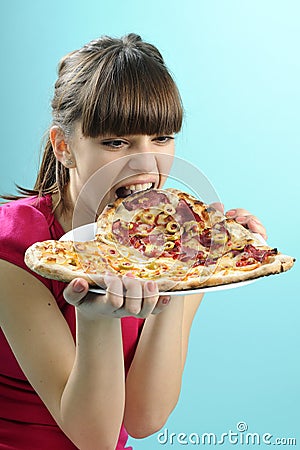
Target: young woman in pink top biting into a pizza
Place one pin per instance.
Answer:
(79, 370)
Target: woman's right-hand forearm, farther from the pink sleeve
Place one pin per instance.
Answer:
(154, 380)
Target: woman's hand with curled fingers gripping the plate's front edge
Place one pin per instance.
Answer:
(124, 297)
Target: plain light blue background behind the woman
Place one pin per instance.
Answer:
(237, 66)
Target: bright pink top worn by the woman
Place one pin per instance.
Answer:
(25, 423)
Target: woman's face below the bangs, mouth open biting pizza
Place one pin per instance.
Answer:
(108, 167)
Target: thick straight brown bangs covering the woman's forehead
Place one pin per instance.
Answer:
(131, 95)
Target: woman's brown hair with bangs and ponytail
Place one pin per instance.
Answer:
(115, 86)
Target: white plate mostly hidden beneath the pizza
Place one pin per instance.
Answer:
(87, 233)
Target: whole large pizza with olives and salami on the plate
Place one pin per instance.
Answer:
(164, 235)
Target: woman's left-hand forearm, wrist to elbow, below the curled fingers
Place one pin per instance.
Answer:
(92, 403)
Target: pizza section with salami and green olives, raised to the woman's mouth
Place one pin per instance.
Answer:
(198, 244)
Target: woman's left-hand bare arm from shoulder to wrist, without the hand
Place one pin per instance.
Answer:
(72, 381)
